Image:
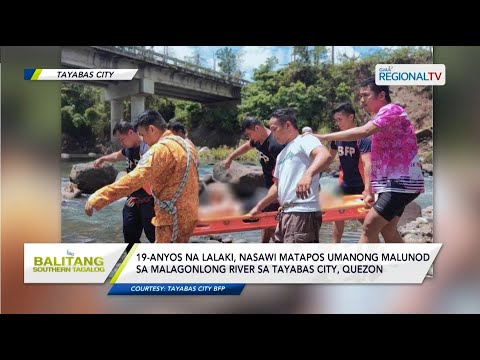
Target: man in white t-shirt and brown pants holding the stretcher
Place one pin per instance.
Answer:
(298, 167)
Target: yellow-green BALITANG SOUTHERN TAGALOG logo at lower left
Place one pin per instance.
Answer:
(68, 263)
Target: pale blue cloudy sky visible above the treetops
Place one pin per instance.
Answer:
(254, 56)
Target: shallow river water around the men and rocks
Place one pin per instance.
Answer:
(106, 226)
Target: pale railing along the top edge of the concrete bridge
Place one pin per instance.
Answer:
(151, 55)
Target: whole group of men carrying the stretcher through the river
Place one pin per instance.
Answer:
(379, 160)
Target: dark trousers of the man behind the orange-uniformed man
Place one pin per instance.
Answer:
(136, 219)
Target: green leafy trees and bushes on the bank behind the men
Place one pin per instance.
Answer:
(310, 84)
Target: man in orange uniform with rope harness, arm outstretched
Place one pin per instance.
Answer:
(170, 167)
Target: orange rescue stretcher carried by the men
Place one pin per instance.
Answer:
(348, 207)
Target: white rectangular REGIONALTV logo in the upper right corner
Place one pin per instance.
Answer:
(410, 74)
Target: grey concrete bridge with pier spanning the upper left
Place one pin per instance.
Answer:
(157, 74)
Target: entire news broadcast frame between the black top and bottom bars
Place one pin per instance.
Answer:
(238, 179)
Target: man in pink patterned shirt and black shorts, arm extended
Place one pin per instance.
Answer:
(396, 173)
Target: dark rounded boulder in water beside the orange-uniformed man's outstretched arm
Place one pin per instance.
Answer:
(88, 179)
